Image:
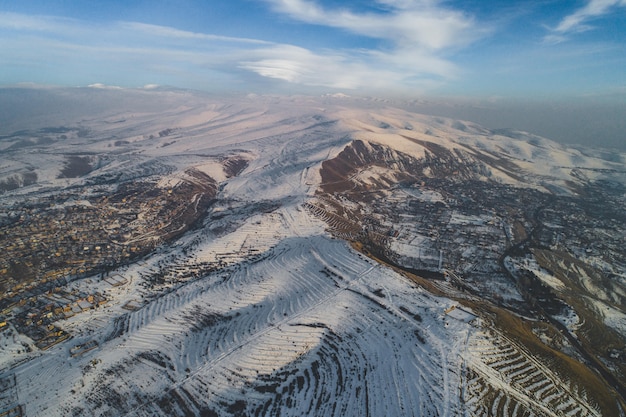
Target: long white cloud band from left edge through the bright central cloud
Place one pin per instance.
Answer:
(417, 34)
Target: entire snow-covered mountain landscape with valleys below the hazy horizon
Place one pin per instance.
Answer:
(171, 253)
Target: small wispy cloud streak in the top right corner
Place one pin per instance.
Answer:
(578, 20)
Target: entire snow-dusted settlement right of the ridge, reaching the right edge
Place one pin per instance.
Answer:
(441, 226)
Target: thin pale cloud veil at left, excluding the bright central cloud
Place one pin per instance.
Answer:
(72, 51)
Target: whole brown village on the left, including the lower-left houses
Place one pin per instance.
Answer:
(58, 239)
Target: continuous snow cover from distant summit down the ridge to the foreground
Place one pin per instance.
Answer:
(290, 321)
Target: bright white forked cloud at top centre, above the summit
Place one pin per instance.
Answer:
(417, 35)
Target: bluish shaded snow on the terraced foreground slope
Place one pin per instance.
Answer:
(301, 332)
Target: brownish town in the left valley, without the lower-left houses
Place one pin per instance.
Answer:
(69, 236)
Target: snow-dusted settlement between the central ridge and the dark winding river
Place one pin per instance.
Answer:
(463, 228)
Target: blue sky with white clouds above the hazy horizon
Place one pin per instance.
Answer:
(543, 48)
